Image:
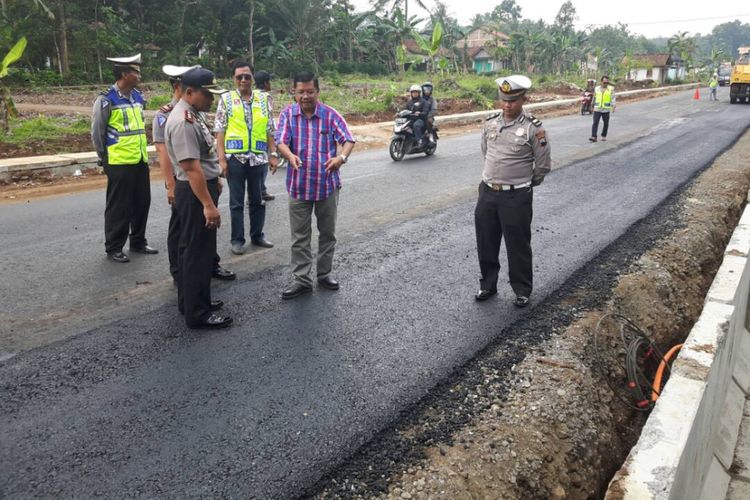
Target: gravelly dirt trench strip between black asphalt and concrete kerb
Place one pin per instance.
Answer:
(533, 416)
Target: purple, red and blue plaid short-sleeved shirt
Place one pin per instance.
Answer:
(314, 141)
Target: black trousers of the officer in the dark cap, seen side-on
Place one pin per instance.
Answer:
(195, 253)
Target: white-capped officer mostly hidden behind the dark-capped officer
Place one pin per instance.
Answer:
(168, 172)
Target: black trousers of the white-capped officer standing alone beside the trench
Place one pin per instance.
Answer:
(506, 214)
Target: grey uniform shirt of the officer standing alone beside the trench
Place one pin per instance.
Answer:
(515, 152)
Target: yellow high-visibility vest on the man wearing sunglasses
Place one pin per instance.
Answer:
(239, 136)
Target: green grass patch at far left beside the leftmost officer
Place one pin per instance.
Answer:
(43, 128)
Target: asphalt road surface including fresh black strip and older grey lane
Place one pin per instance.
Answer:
(141, 406)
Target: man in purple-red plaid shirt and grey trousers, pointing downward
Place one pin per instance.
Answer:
(308, 136)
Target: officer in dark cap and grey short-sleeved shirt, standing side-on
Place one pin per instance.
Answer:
(191, 146)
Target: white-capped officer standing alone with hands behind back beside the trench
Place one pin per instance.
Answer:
(516, 158)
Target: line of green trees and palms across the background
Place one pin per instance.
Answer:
(68, 40)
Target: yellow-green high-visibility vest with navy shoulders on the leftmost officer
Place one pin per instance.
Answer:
(126, 133)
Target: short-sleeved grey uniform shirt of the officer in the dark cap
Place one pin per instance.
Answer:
(189, 138)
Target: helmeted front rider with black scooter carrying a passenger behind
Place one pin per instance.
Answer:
(408, 130)
